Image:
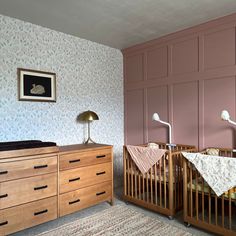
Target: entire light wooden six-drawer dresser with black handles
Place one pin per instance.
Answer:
(41, 184)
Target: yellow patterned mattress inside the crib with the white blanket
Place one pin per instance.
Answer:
(206, 188)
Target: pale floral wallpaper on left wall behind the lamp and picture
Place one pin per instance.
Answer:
(89, 76)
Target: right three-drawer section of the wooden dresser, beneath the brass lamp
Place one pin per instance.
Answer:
(85, 176)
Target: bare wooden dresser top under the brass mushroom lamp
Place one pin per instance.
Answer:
(82, 147)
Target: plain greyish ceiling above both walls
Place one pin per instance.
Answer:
(117, 23)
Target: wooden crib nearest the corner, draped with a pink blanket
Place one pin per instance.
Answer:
(161, 188)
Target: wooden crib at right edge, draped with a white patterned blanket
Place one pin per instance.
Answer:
(202, 207)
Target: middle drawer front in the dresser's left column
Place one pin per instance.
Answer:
(21, 191)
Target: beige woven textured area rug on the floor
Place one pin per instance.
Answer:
(117, 220)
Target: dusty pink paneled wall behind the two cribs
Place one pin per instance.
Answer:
(188, 77)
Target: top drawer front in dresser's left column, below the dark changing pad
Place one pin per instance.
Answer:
(27, 168)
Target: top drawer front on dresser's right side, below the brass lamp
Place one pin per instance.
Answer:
(78, 159)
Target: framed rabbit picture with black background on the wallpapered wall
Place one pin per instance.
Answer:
(36, 85)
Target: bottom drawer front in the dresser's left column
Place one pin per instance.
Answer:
(17, 218)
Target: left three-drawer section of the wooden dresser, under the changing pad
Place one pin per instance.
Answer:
(28, 188)
